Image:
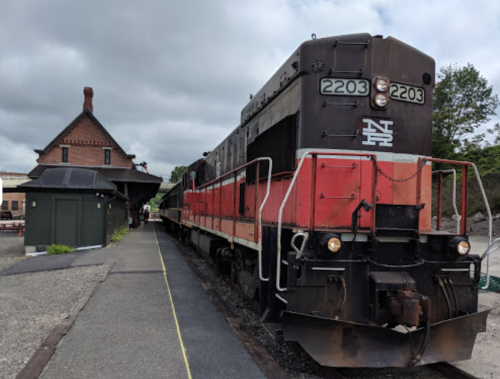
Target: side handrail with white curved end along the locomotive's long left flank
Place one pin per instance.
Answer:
(258, 220)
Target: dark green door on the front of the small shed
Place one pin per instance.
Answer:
(67, 225)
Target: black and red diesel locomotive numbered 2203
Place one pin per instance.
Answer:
(318, 205)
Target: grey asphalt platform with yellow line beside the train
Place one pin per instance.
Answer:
(139, 324)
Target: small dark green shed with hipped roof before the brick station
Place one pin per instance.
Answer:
(72, 206)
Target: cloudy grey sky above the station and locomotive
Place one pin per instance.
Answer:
(171, 77)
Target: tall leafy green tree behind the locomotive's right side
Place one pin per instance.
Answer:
(462, 103)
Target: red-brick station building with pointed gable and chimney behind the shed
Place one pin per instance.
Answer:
(85, 143)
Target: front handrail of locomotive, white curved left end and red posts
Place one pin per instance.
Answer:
(314, 155)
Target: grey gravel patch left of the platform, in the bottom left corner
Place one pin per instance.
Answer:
(31, 305)
